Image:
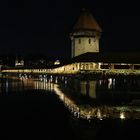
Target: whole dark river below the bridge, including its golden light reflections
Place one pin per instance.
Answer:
(75, 109)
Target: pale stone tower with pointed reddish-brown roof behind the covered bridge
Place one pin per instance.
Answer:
(85, 35)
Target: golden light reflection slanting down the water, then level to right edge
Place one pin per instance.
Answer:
(100, 112)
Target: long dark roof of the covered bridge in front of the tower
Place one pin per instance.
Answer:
(109, 57)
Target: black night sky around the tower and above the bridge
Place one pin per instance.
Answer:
(40, 27)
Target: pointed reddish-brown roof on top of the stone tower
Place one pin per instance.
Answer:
(87, 22)
